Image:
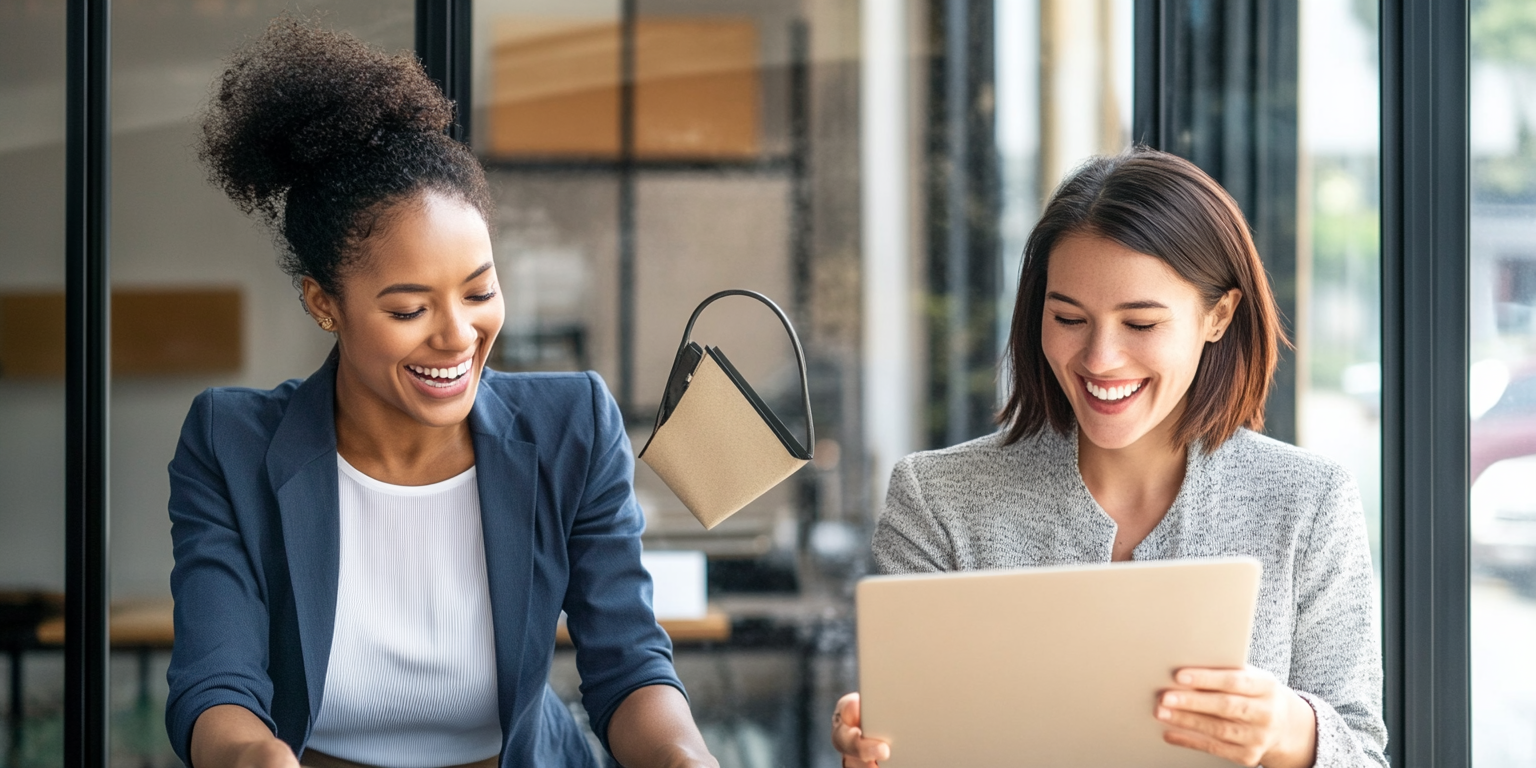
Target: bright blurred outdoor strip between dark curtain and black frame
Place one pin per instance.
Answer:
(1339, 329)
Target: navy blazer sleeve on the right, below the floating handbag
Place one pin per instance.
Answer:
(620, 647)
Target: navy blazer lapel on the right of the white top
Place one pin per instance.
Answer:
(508, 474)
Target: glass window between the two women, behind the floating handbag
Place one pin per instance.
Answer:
(870, 167)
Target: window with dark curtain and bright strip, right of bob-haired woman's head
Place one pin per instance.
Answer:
(1280, 104)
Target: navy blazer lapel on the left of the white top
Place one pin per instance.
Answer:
(302, 468)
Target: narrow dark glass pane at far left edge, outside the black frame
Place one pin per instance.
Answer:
(31, 377)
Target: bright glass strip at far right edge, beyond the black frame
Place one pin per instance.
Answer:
(1503, 385)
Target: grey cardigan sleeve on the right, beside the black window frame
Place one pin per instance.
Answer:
(1337, 649)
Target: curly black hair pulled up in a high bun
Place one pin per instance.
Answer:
(317, 133)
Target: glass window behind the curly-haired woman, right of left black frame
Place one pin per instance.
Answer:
(197, 302)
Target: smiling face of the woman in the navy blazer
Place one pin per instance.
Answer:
(419, 316)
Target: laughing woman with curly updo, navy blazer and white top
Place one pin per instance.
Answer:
(371, 563)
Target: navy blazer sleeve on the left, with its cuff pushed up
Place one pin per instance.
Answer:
(220, 615)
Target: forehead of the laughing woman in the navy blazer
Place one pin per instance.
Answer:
(428, 240)
